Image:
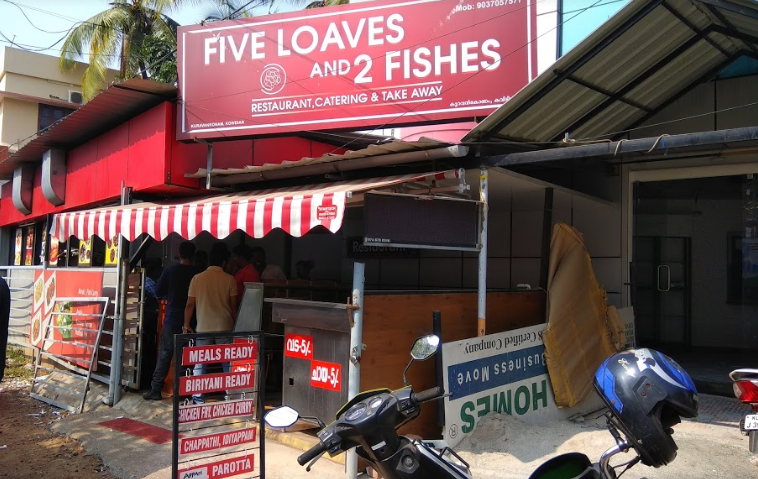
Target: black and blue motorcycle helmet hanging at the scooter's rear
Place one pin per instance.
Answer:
(647, 393)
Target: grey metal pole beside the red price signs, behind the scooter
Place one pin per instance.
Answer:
(356, 350)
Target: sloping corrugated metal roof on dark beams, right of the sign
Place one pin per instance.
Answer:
(640, 61)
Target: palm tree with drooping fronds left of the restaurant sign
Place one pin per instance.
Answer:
(122, 36)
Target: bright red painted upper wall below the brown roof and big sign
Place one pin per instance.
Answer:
(144, 153)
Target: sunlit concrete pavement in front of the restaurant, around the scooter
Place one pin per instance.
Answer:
(709, 444)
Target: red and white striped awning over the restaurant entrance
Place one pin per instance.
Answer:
(296, 210)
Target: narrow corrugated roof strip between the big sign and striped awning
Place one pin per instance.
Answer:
(337, 163)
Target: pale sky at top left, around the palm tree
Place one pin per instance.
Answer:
(49, 20)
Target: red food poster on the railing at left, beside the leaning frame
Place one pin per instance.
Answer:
(49, 309)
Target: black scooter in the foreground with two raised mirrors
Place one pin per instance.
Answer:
(369, 423)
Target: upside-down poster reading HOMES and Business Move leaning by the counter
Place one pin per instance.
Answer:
(503, 373)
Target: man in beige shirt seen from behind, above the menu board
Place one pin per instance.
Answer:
(213, 293)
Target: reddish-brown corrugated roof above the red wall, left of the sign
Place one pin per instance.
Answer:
(117, 104)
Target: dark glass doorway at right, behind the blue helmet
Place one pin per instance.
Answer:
(694, 273)
